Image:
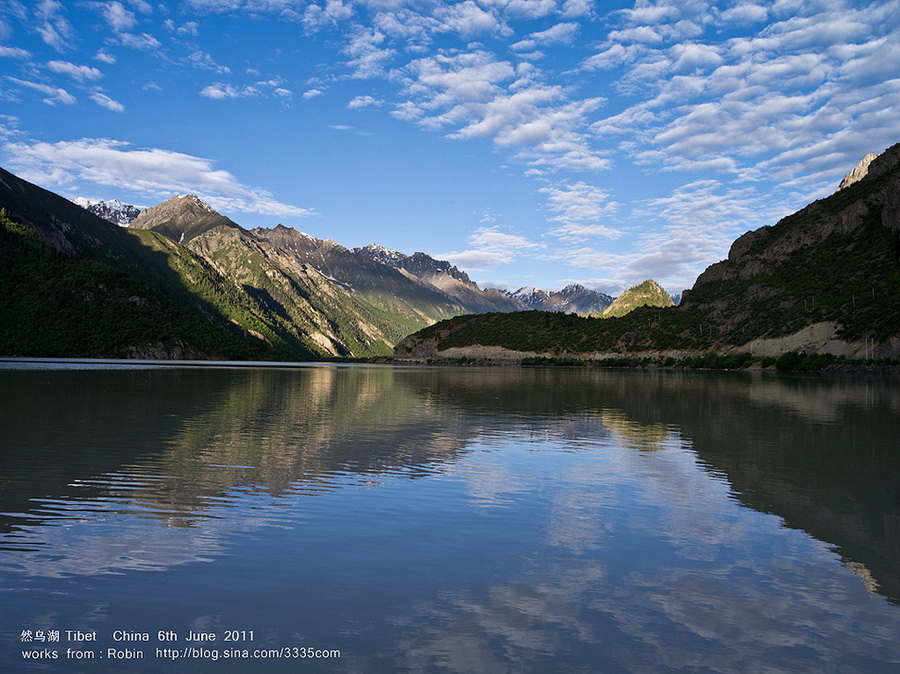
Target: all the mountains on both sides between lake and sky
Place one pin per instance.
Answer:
(181, 281)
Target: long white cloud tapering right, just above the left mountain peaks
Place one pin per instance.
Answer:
(150, 172)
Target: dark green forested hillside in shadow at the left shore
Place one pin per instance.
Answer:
(53, 304)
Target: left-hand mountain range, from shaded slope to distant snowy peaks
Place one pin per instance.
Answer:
(94, 289)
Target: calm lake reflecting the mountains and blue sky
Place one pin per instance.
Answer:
(328, 518)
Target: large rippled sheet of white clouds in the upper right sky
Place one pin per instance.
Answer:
(747, 103)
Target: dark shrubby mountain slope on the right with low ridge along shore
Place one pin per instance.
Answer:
(822, 281)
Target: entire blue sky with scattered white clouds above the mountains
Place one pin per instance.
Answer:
(529, 142)
